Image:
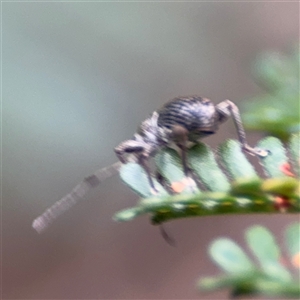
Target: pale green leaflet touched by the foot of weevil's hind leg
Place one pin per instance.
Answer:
(276, 159)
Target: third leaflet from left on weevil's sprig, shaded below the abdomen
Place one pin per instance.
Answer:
(203, 162)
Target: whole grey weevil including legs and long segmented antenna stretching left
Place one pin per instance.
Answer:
(182, 121)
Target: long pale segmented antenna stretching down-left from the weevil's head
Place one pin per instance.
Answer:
(44, 221)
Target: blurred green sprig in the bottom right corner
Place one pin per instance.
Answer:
(272, 276)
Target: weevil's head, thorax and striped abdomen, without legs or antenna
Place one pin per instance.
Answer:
(198, 116)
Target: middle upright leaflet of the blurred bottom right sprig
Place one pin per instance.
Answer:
(264, 247)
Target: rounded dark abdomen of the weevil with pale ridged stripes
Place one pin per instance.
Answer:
(198, 115)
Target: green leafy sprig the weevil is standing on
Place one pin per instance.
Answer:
(237, 190)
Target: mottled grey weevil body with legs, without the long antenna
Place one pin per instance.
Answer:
(181, 121)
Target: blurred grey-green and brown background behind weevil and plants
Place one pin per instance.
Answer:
(77, 79)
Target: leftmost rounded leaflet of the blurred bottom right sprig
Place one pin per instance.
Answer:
(230, 257)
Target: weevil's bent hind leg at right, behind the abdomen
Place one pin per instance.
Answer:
(227, 108)
